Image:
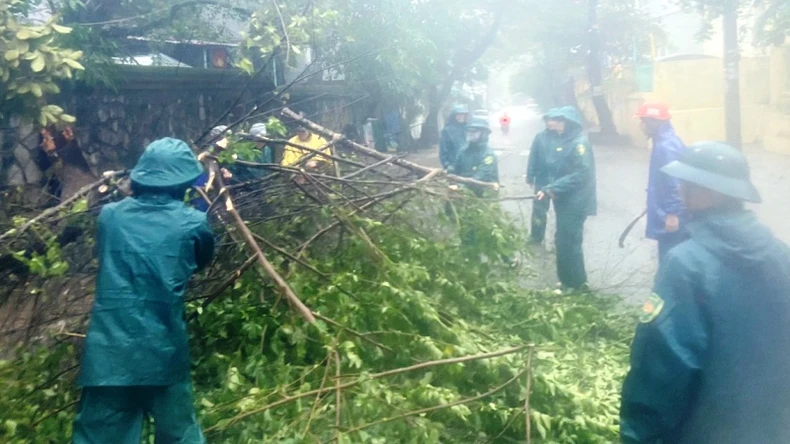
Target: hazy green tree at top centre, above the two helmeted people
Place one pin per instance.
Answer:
(416, 51)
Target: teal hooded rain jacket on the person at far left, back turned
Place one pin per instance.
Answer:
(149, 246)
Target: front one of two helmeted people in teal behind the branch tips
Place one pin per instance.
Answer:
(477, 160)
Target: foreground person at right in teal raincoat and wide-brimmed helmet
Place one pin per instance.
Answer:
(709, 362)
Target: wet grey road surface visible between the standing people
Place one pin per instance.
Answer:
(622, 176)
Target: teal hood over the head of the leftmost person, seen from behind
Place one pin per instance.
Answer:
(167, 163)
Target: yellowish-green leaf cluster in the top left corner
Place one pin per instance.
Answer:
(32, 63)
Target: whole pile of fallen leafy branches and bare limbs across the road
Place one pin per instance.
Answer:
(364, 303)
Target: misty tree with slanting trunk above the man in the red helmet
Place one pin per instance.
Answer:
(565, 37)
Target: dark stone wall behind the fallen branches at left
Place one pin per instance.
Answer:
(115, 125)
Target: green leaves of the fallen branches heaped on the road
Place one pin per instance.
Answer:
(422, 289)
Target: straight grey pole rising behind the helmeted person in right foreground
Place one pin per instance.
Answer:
(732, 95)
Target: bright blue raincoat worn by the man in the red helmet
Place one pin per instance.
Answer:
(663, 191)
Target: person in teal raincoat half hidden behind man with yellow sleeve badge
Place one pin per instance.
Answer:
(538, 174)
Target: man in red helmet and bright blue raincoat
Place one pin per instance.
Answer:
(666, 216)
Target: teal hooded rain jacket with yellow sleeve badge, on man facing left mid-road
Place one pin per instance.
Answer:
(572, 167)
